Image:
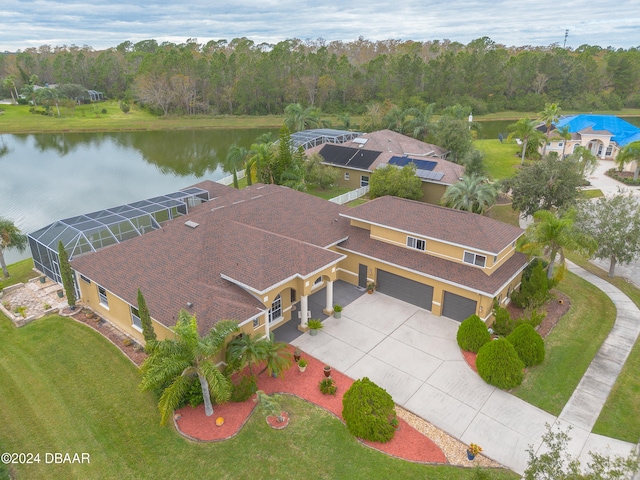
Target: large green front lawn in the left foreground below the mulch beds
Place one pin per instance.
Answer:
(63, 388)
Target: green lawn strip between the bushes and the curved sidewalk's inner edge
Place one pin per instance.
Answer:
(570, 347)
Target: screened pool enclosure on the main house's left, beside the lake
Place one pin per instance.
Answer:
(92, 231)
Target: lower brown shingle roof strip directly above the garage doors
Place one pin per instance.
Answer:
(457, 273)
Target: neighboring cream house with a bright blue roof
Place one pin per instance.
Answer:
(603, 135)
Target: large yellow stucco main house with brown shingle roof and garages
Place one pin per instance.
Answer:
(256, 255)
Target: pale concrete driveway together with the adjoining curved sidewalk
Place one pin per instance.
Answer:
(414, 356)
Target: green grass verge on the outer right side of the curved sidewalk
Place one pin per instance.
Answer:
(620, 417)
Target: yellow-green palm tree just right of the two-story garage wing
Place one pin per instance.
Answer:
(553, 234)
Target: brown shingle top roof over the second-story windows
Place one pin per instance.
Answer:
(452, 226)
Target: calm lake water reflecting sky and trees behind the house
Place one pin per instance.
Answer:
(46, 177)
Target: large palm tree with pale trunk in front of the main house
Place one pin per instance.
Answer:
(174, 364)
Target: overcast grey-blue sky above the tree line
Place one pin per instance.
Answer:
(102, 24)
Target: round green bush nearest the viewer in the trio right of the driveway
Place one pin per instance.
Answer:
(498, 364)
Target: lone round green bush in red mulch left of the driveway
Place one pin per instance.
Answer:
(367, 410)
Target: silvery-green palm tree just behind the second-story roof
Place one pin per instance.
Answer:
(471, 193)
